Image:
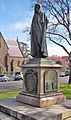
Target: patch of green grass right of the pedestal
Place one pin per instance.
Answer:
(66, 90)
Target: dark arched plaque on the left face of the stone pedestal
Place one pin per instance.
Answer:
(30, 81)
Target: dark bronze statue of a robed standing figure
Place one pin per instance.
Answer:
(38, 33)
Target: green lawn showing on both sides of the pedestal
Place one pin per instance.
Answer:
(64, 88)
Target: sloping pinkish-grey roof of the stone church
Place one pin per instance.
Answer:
(14, 50)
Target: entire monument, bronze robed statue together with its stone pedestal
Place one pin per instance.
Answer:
(40, 83)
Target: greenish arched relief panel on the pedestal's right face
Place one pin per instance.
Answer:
(50, 81)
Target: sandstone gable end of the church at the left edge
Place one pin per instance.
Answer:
(3, 54)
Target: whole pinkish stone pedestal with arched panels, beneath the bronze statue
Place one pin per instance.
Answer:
(40, 84)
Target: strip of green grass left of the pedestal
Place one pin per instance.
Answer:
(9, 94)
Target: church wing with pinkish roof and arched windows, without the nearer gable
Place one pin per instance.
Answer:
(15, 59)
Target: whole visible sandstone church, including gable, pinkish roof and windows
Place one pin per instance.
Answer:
(11, 57)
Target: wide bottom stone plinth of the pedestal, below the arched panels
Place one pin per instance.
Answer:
(42, 101)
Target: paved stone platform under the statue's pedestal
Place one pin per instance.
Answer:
(10, 109)
